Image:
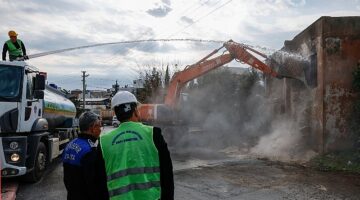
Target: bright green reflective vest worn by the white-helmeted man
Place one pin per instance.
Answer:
(131, 162)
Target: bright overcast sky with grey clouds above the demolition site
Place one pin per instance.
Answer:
(46, 25)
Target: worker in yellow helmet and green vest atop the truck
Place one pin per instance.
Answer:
(15, 47)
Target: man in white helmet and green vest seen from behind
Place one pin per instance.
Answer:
(135, 157)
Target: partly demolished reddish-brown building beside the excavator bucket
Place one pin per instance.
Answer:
(324, 55)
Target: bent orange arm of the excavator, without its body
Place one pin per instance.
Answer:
(236, 51)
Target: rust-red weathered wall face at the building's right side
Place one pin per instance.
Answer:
(341, 54)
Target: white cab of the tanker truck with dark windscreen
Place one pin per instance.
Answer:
(27, 144)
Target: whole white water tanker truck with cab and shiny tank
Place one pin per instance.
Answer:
(36, 121)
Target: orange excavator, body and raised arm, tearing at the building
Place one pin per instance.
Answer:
(164, 113)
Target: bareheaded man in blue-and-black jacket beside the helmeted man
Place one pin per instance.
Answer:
(79, 156)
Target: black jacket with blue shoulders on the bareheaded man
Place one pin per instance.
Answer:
(80, 169)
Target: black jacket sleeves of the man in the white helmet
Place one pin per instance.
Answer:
(166, 168)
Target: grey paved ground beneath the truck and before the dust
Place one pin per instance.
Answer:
(226, 176)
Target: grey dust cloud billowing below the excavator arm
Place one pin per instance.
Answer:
(232, 114)
